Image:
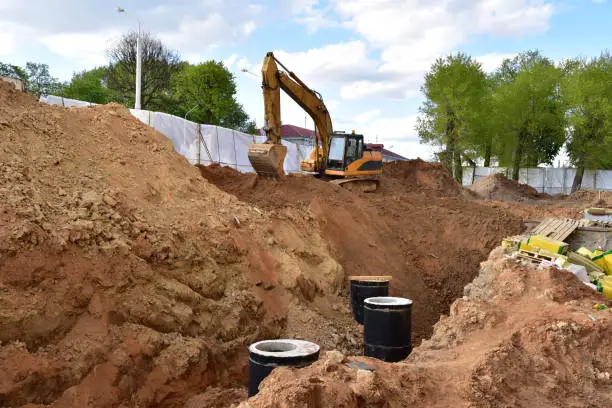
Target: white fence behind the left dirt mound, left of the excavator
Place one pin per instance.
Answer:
(216, 144)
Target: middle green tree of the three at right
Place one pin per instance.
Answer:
(528, 111)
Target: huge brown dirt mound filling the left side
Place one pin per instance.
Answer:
(125, 277)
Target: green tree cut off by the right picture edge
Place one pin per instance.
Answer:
(587, 88)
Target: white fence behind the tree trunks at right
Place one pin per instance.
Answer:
(549, 180)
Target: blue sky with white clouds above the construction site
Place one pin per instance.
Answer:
(366, 57)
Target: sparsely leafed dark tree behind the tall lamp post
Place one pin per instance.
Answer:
(159, 64)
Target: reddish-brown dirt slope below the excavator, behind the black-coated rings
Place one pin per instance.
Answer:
(429, 242)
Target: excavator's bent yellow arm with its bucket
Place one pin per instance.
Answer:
(267, 158)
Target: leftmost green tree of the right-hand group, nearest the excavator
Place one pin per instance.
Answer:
(455, 89)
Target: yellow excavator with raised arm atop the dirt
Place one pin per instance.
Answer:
(339, 157)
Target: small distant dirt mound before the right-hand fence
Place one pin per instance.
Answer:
(498, 187)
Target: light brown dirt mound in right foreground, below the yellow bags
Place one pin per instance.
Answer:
(518, 338)
